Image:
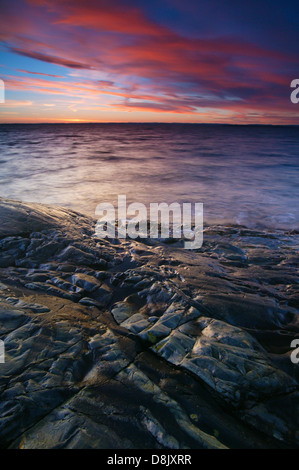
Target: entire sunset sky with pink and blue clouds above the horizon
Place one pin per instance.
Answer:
(212, 61)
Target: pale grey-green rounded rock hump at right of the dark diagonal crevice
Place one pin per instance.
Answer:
(232, 363)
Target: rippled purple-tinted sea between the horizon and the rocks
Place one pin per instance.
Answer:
(245, 175)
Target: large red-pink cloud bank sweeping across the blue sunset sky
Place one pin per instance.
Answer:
(123, 59)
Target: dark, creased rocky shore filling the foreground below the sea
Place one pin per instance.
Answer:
(143, 344)
